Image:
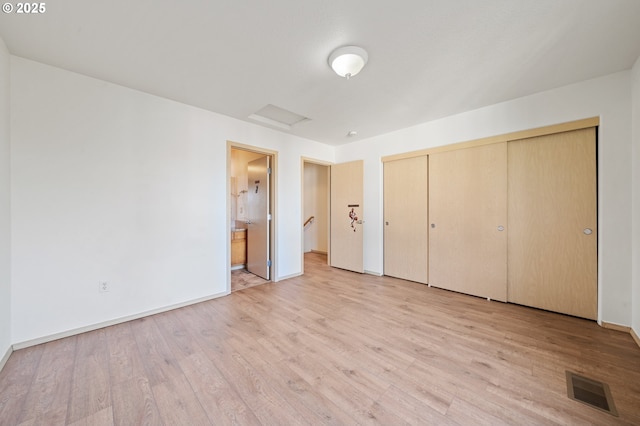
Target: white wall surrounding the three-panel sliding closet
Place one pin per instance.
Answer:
(608, 97)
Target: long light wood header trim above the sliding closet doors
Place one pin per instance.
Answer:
(522, 134)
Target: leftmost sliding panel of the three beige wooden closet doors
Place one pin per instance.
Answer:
(406, 232)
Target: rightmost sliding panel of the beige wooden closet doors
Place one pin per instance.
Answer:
(552, 223)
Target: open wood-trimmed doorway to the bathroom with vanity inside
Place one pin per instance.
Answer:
(251, 173)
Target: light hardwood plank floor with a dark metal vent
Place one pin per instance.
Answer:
(330, 347)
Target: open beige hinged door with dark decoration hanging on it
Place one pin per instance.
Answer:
(346, 216)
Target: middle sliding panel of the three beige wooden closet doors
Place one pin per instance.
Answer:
(468, 215)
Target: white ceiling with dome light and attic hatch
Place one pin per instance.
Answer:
(427, 58)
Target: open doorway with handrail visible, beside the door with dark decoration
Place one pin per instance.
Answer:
(315, 212)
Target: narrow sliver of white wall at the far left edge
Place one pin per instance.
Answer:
(5, 205)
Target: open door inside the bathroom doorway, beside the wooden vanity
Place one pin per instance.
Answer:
(259, 217)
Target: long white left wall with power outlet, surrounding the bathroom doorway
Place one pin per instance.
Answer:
(113, 184)
